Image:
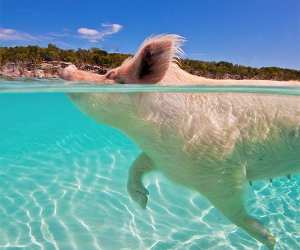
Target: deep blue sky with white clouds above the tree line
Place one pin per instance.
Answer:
(249, 32)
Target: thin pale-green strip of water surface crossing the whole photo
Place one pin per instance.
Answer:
(60, 86)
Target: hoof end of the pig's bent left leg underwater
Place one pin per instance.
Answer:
(138, 193)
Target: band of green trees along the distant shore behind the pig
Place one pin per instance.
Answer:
(95, 56)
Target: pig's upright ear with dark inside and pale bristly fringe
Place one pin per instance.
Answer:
(153, 59)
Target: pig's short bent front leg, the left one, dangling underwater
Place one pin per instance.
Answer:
(135, 187)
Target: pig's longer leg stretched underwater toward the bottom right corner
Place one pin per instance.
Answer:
(226, 192)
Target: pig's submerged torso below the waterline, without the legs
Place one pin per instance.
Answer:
(255, 130)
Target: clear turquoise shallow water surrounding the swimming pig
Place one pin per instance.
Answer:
(63, 186)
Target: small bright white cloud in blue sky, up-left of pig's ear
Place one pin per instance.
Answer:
(97, 35)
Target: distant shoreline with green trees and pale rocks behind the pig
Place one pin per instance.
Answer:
(37, 62)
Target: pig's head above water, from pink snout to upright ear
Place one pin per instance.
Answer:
(149, 65)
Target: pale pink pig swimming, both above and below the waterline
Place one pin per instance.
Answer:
(213, 143)
